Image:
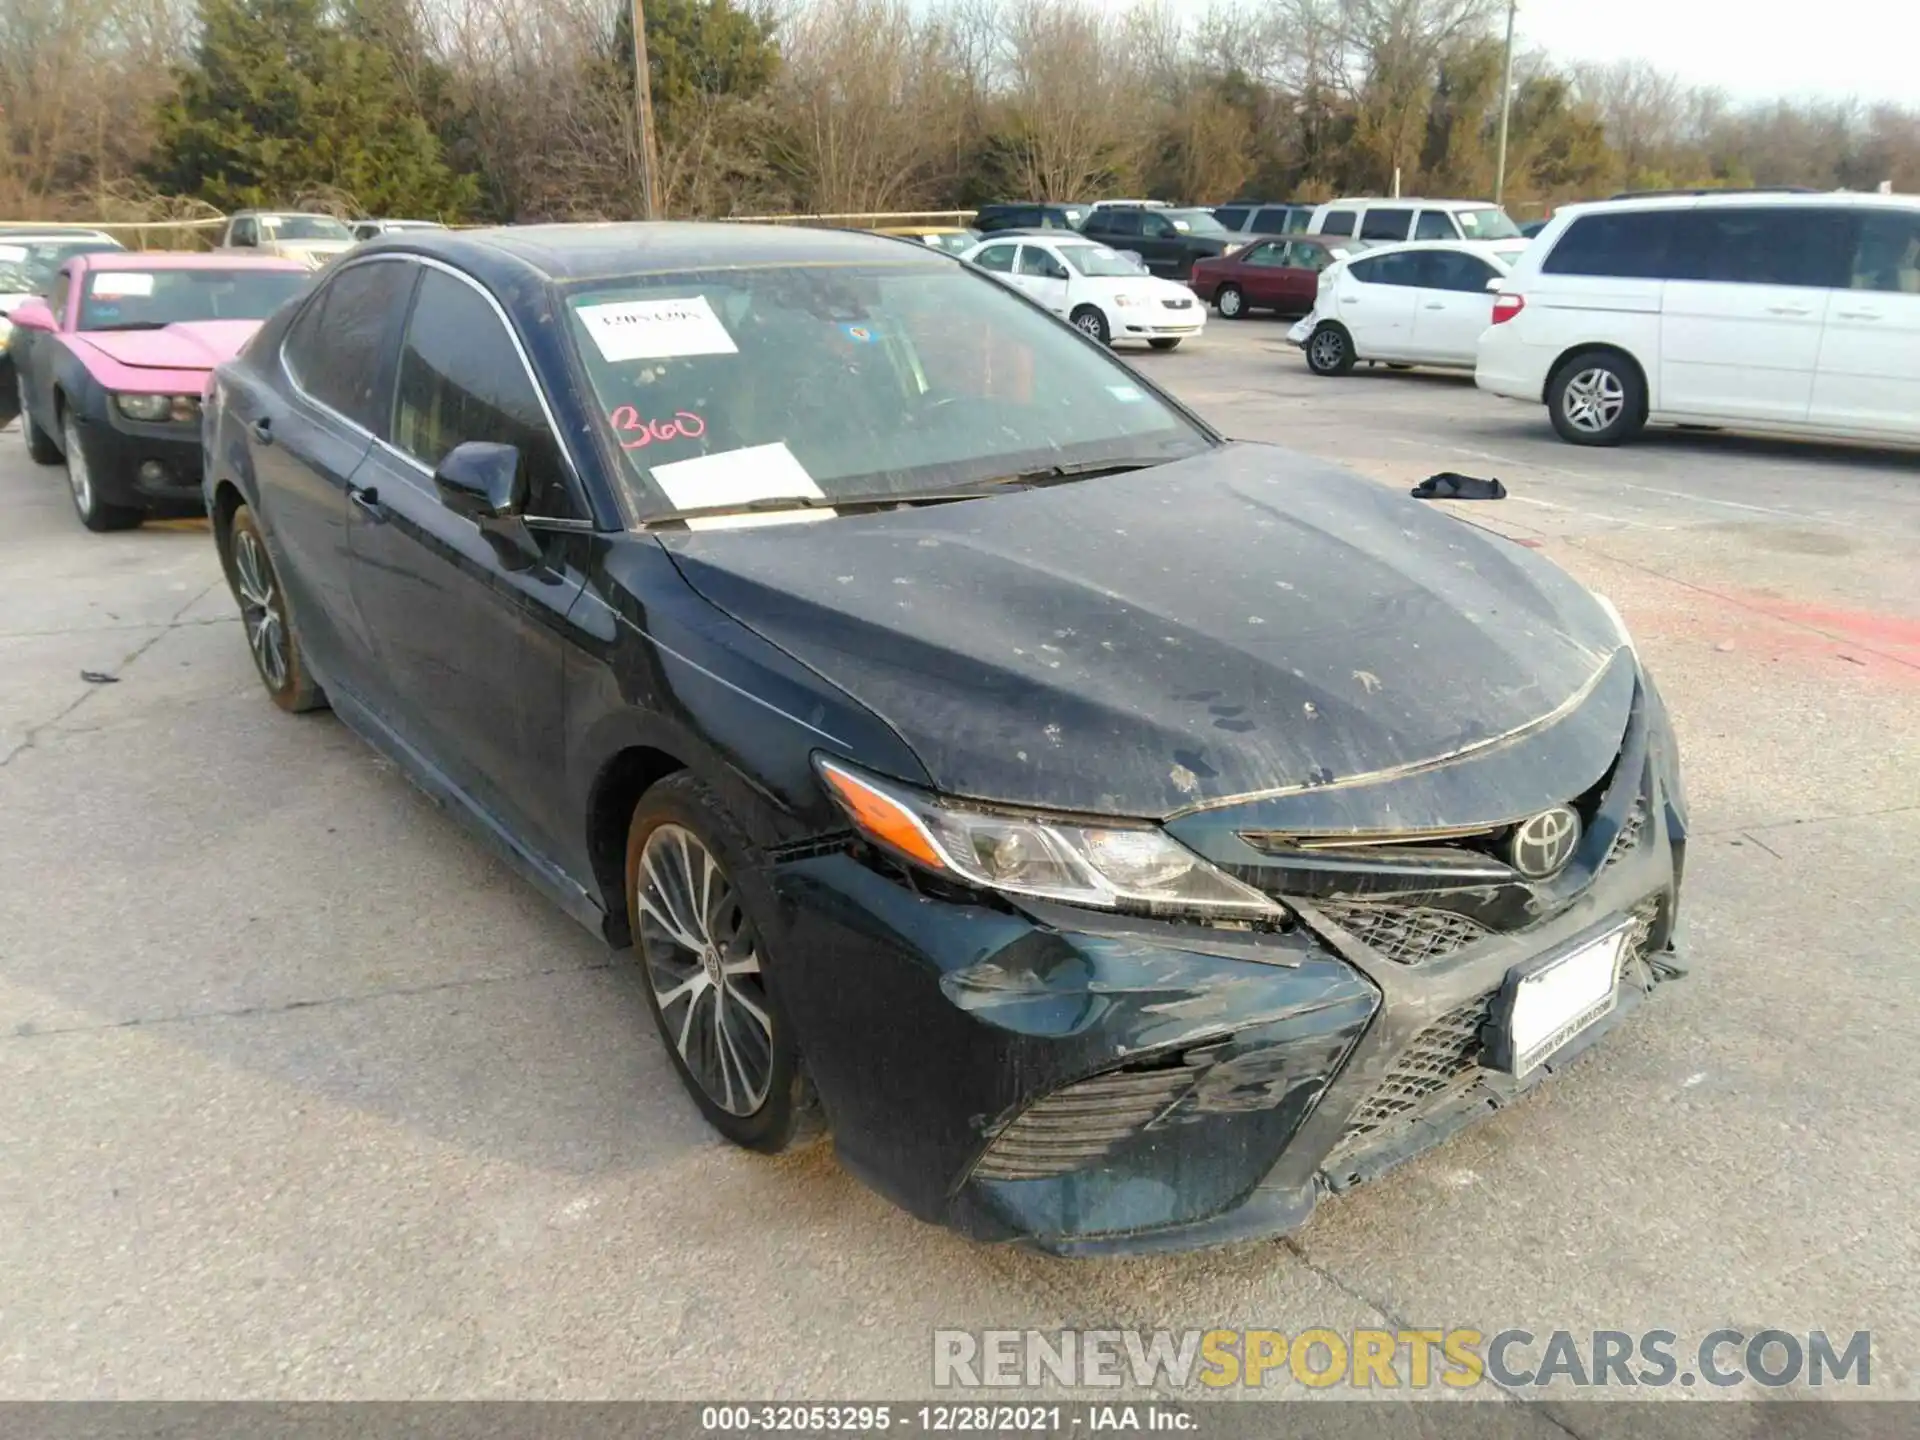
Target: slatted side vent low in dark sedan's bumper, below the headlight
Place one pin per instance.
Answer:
(1082, 1124)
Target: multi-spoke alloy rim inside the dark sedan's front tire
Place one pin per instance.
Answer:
(704, 965)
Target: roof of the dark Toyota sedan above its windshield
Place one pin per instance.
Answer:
(625, 249)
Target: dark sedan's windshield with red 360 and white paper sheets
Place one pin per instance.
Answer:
(838, 381)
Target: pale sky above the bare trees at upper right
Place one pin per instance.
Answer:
(1867, 49)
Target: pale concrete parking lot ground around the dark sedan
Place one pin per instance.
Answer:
(306, 1097)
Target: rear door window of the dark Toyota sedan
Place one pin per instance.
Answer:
(337, 347)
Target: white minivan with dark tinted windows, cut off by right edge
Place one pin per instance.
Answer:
(1754, 310)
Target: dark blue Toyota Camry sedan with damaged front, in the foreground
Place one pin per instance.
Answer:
(1115, 836)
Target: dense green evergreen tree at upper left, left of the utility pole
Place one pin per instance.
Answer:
(281, 101)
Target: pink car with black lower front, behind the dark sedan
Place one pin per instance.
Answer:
(112, 366)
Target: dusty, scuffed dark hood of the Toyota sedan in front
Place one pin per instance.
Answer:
(1236, 623)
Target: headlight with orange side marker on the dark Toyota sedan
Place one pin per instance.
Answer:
(1103, 867)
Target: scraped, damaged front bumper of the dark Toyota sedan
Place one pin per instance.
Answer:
(1095, 1084)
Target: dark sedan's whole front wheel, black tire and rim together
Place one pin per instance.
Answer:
(698, 900)
